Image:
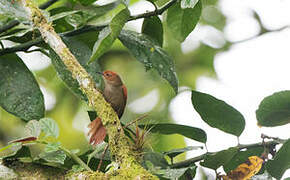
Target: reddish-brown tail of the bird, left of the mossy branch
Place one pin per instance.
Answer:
(97, 131)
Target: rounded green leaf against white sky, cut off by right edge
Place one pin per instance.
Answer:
(274, 110)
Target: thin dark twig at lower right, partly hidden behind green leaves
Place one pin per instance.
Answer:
(193, 160)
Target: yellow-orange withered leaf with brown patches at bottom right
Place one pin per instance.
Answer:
(245, 170)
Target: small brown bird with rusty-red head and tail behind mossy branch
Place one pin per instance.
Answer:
(115, 93)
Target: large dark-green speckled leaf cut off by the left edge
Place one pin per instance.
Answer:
(19, 92)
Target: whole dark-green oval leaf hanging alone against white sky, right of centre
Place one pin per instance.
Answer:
(218, 114)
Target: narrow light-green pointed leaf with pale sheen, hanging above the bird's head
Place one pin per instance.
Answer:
(109, 34)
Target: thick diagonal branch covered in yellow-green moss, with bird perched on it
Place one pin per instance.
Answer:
(119, 143)
